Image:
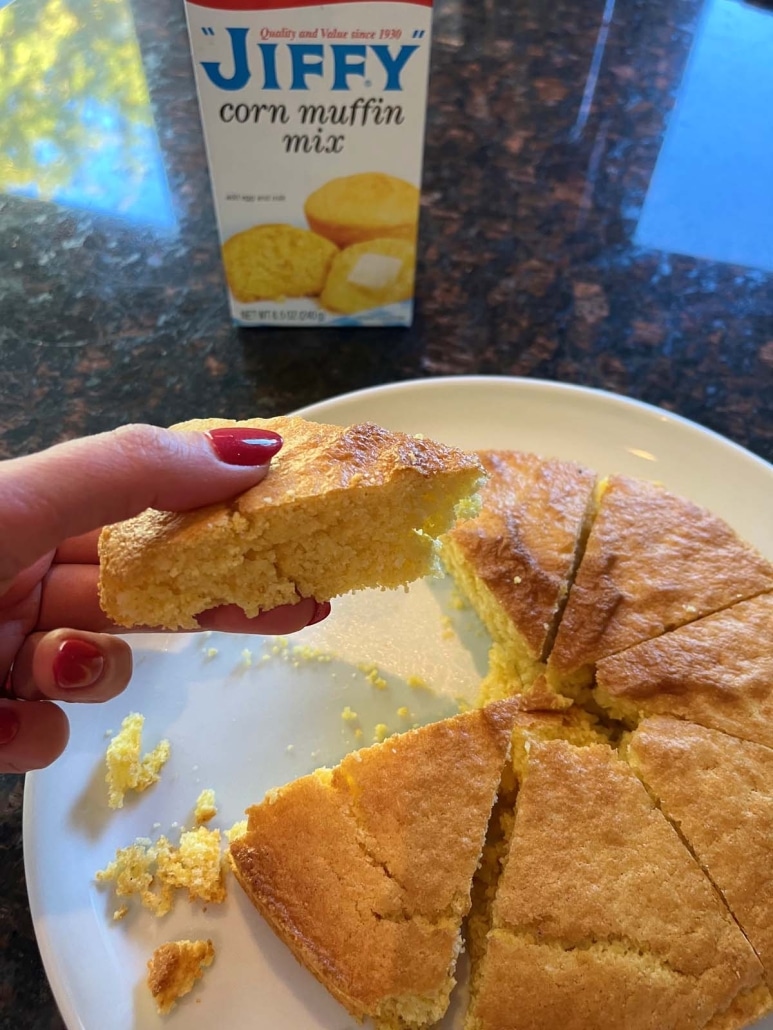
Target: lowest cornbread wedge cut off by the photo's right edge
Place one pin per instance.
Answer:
(719, 792)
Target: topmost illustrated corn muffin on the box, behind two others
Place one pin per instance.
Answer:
(368, 207)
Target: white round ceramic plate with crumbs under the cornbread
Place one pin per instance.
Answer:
(245, 724)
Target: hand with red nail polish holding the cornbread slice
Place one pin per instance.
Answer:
(52, 507)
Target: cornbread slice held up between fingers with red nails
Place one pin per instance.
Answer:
(341, 510)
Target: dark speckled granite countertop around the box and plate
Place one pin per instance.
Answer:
(596, 211)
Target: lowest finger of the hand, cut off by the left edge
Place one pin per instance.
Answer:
(31, 736)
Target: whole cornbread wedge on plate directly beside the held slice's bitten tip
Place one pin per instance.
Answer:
(516, 561)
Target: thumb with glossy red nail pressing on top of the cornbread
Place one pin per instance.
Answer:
(83, 485)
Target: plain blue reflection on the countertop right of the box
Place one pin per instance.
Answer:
(712, 195)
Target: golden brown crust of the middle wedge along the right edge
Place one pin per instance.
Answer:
(717, 672)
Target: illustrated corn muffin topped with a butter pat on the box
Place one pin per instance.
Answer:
(368, 276)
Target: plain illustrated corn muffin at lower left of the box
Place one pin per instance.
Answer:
(268, 263)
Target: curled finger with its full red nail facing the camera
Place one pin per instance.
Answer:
(70, 666)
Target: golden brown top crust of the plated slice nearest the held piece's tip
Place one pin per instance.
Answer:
(522, 546)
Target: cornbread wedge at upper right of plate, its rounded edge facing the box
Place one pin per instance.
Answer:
(654, 562)
